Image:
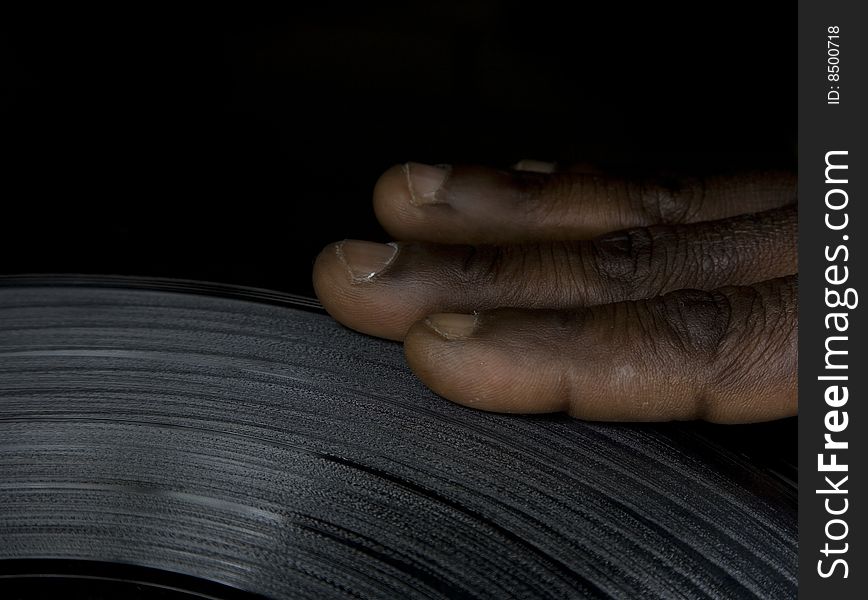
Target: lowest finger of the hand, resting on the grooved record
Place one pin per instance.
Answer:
(727, 356)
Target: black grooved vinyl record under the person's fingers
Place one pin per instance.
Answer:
(204, 442)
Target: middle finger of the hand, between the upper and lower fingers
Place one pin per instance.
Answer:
(382, 290)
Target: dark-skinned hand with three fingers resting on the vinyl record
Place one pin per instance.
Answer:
(611, 299)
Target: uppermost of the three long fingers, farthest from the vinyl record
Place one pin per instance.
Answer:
(468, 205)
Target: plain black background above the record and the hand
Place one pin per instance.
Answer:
(231, 146)
